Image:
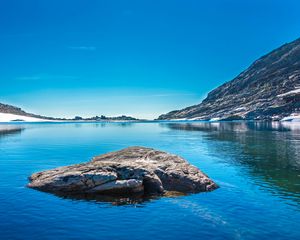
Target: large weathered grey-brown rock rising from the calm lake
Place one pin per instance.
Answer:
(134, 170)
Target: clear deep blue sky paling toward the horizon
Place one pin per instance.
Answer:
(142, 58)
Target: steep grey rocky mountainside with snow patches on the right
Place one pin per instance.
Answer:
(268, 89)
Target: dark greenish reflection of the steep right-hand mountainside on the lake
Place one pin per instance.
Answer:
(269, 151)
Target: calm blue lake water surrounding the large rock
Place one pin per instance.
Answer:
(257, 166)
